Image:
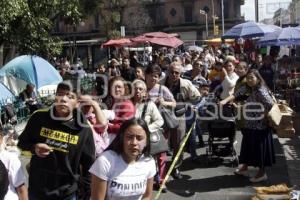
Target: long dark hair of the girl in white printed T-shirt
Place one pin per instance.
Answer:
(118, 144)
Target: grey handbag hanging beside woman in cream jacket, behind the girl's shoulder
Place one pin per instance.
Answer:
(158, 142)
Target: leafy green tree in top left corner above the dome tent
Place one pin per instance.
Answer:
(27, 24)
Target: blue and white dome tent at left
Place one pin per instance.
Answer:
(28, 69)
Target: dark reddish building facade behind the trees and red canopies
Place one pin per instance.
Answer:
(172, 16)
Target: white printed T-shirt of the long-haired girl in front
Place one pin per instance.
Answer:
(124, 181)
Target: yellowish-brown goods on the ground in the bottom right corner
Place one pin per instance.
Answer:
(274, 192)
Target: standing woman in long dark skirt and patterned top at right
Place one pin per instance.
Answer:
(257, 148)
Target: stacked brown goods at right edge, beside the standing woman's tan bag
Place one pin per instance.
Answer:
(285, 128)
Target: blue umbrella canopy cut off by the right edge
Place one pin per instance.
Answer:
(285, 36)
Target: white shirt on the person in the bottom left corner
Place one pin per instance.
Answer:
(15, 173)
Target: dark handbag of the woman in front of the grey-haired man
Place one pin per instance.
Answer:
(170, 119)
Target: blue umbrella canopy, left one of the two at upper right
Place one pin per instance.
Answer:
(249, 30)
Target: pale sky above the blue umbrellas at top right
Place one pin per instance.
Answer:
(266, 8)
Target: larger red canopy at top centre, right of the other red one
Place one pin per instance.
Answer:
(159, 38)
